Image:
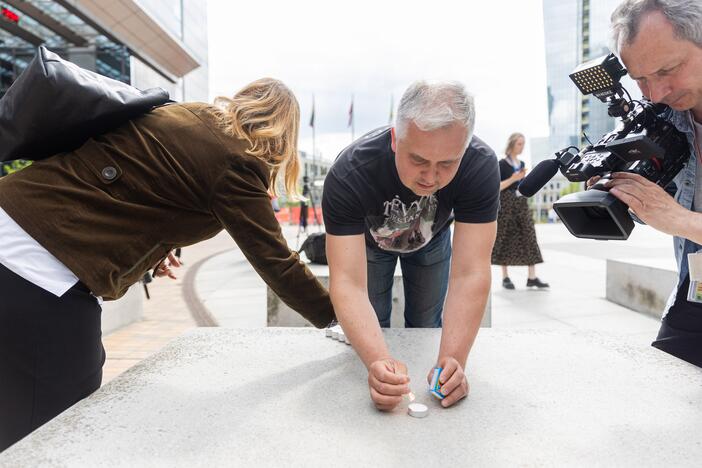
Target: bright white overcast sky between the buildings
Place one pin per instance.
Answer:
(372, 50)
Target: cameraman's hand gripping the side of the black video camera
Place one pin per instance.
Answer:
(649, 202)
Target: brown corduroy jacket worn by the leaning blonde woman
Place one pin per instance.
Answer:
(112, 209)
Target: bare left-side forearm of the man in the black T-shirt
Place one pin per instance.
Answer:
(360, 324)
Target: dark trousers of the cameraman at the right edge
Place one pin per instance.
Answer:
(681, 329)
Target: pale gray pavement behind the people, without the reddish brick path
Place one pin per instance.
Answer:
(235, 296)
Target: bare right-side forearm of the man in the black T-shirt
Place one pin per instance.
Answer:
(463, 313)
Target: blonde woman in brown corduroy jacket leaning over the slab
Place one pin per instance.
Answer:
(87, 224)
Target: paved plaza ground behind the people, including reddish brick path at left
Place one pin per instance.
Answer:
(217, 286)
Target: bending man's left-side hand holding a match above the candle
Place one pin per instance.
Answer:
(388, 381)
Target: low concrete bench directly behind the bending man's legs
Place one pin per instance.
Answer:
(280, 315)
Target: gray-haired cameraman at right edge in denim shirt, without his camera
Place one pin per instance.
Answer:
(660, 43)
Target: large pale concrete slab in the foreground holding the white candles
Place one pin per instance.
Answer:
(285, 396)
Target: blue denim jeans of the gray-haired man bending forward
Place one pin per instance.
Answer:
(424, 276)
